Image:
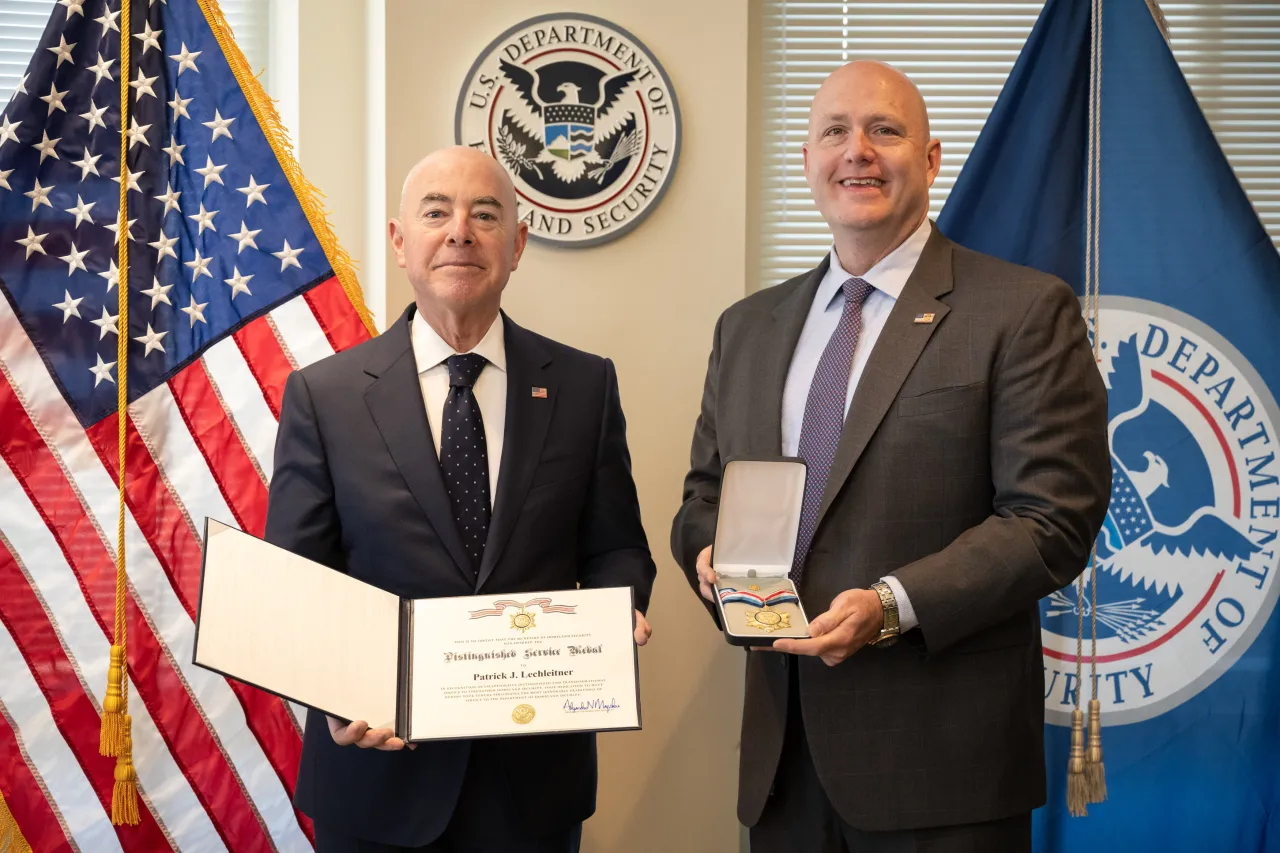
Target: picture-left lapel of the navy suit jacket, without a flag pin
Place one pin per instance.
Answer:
(395, 402)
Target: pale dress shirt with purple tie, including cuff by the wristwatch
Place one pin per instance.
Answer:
(888, 277)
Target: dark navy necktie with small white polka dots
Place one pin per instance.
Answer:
(464, 457)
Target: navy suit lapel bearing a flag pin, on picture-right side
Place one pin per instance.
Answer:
(528, 422)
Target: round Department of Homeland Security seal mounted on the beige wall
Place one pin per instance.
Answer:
(584, 120)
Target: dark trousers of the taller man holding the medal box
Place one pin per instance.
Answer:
(799, 818)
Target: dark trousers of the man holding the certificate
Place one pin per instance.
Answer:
(484, 822)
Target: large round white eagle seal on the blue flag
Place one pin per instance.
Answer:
(1187, 556)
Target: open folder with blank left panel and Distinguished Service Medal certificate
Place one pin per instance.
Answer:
(431, 669)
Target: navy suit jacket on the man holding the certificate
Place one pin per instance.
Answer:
(358, 487)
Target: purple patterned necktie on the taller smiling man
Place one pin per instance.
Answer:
(825, 414)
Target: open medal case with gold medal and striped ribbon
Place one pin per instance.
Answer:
(757, 526)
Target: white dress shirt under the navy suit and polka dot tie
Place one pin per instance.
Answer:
(491, 389)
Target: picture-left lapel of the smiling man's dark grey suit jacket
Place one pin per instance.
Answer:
(774, 361)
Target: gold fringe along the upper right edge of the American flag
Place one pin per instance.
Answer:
(277, 135)
